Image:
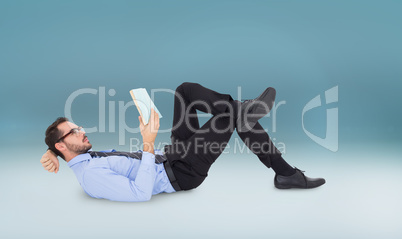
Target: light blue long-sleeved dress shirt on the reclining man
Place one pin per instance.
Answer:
(121, 178)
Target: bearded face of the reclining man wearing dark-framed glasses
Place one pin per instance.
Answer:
(75, 142)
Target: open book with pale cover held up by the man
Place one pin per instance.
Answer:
(144, 104)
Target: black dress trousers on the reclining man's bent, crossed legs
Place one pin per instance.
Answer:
(194, 149)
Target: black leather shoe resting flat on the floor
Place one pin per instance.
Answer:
(297, 180)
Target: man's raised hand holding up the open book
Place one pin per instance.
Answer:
(149, 131)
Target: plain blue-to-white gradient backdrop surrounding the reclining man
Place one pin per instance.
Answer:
(49, 49)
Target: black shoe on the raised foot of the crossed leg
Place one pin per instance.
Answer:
(251, 111)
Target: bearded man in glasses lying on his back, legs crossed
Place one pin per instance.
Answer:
(182, 165)
